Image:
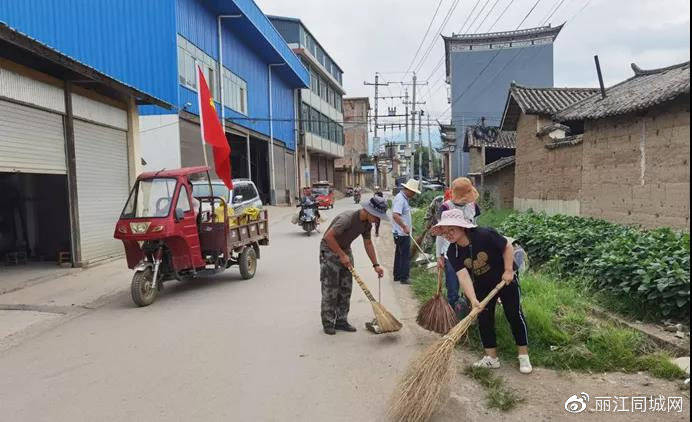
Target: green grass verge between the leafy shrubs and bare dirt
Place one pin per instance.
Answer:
(563, 335)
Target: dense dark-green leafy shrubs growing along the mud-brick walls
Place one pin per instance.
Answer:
(647, 269)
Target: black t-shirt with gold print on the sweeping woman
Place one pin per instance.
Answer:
(488, 264)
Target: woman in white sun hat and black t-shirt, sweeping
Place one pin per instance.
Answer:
(482, 258)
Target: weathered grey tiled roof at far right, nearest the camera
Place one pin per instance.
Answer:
(646, 89)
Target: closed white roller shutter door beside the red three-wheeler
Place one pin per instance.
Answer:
(102, 187)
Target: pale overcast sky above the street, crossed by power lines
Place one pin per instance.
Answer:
(368, 36)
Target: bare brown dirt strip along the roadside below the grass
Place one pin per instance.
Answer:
(545, 391)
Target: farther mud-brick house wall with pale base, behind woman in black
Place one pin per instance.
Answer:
(545, 180)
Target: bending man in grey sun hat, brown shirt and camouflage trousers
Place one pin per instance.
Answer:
(336, 259)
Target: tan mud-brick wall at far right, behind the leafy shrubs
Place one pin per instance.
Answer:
(636, 167)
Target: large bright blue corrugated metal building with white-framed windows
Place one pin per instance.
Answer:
(153, 45)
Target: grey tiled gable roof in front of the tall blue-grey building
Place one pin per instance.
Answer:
(540, 101)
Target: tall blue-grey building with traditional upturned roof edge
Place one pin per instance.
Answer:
(480, 68)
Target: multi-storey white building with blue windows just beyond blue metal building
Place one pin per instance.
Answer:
(321, 104)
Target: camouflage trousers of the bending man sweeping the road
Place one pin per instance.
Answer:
(337, 284)
